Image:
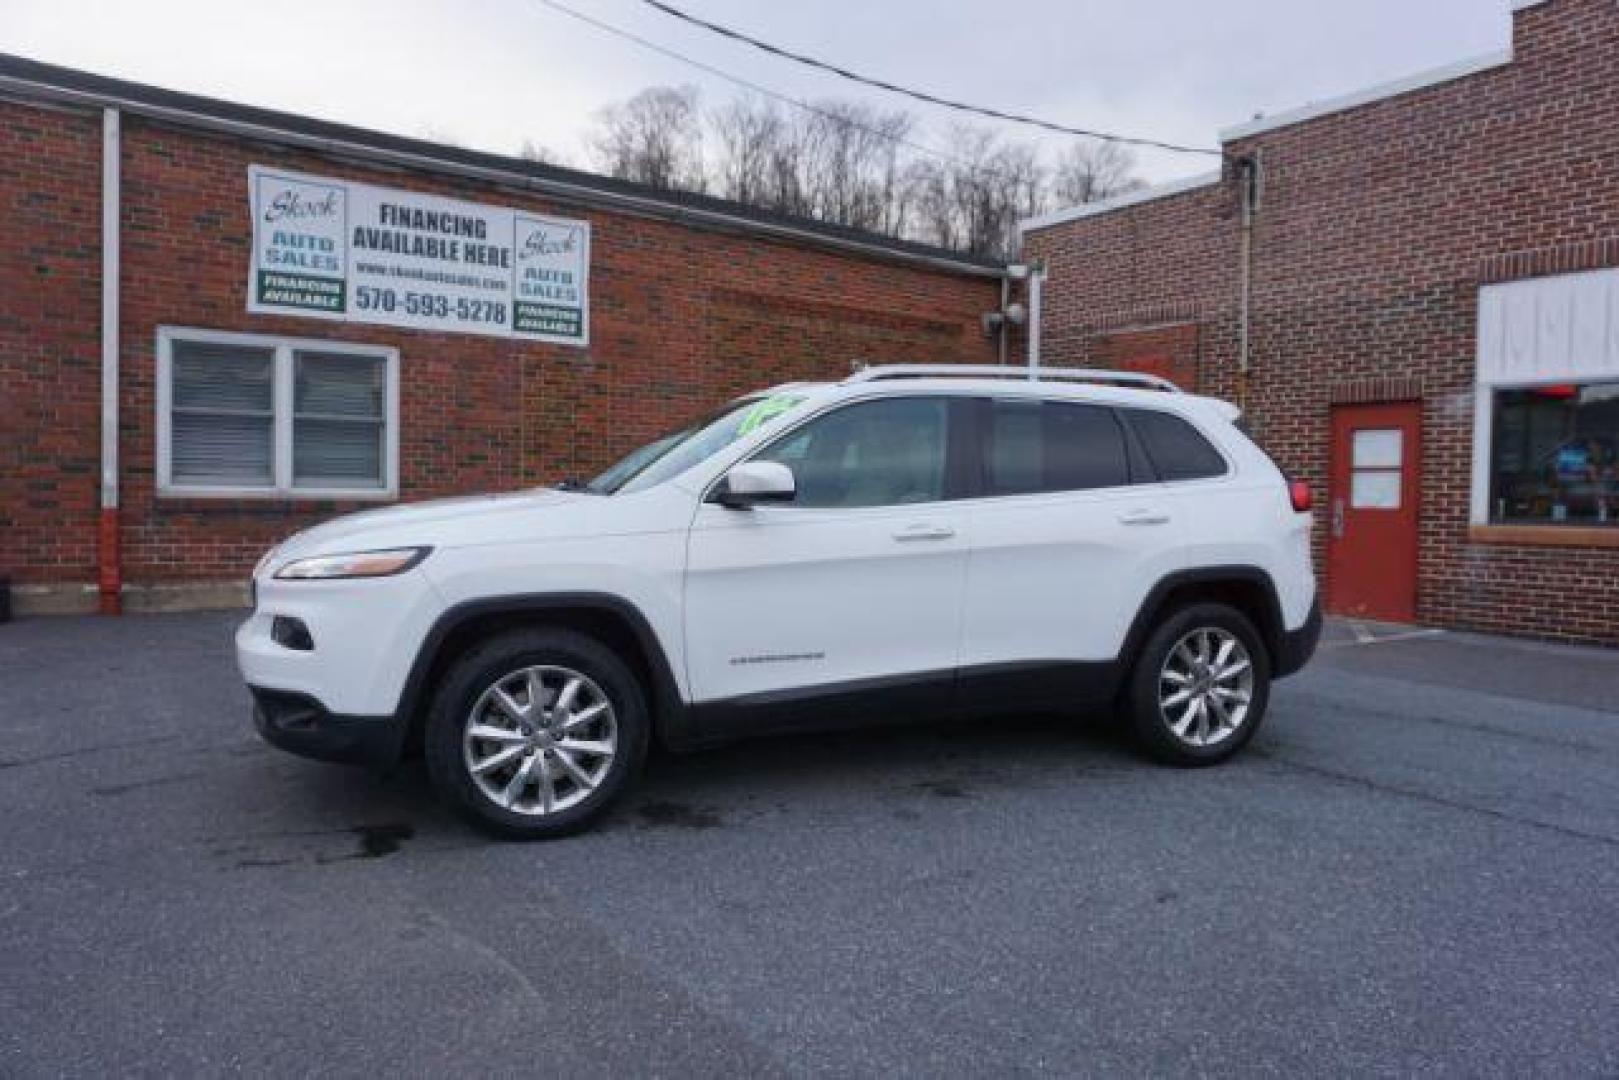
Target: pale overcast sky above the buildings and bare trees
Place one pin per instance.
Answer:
(493, 74)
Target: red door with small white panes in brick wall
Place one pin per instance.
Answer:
(1372, 512)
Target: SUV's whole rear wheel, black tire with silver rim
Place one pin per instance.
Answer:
(1200, 687)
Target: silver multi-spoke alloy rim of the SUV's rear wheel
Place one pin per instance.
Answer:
(1205, 687)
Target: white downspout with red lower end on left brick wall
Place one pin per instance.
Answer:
(111, 568)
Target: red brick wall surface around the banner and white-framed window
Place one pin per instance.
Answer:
(682, 320)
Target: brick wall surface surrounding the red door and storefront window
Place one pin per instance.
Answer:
(1375, 231)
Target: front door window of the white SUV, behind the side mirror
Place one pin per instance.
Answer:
(870, 454)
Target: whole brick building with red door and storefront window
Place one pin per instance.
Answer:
(1416, 296)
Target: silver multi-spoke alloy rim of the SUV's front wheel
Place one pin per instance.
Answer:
(540, 741)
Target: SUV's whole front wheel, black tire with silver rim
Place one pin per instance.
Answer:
(535, 733)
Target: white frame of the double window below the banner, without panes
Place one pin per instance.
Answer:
(283, 401)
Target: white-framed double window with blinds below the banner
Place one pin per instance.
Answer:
(247, 415)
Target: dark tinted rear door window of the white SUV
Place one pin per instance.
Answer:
(1035, 446)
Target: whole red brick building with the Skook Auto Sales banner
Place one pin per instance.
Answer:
(156, 435)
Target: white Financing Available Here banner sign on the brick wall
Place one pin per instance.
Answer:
(342, 250)
